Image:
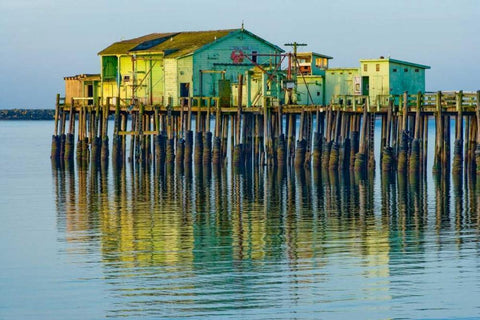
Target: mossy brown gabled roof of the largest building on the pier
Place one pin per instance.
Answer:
(174, 44)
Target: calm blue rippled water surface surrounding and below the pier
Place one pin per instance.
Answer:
(211, 244)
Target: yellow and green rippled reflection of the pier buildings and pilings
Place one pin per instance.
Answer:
(170, 223)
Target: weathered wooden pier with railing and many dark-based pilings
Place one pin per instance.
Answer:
(339, 136)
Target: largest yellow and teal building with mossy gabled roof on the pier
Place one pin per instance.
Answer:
(161, 68)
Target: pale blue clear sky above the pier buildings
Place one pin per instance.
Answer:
(45, 40)
